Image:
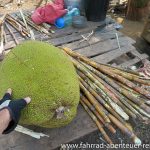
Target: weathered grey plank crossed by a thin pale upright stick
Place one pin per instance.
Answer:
(103, 47)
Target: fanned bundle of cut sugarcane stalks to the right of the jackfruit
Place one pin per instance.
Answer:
(111, 95)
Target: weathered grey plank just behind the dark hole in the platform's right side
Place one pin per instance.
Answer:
(107, 57)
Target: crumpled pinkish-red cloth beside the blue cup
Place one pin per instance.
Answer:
(49, 13)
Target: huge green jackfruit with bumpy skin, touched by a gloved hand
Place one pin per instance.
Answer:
(44, 73)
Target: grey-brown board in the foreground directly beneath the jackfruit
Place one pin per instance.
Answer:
(58, 136)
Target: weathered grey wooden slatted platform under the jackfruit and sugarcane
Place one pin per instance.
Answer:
(101, 47)
